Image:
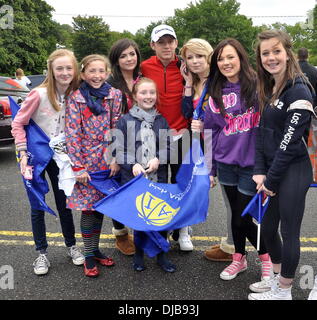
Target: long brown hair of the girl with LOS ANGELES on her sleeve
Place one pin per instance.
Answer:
(266, 81)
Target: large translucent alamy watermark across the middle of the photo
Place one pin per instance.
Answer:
(129, 149)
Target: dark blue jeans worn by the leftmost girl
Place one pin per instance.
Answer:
(65, 215)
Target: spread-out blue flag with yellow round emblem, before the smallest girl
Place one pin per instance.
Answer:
(144, 205)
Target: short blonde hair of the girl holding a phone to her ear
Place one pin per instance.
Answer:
(197, 46)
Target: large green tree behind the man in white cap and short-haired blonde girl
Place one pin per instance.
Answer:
(212, 20)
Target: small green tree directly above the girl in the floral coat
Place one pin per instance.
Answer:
(91, 35)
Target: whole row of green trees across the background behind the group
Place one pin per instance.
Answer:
(35, 34)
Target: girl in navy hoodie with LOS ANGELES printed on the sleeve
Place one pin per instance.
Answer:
(282, 166)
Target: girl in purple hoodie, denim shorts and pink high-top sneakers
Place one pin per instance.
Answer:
(232, 117)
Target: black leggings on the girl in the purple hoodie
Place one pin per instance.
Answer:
(242, 227)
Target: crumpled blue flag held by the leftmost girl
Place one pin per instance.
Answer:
(40, 154)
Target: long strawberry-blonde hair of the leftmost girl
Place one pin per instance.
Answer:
(49, 82)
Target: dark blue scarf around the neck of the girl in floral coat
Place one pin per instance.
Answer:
(94, 97)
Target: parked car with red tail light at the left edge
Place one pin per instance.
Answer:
(9, 87)
